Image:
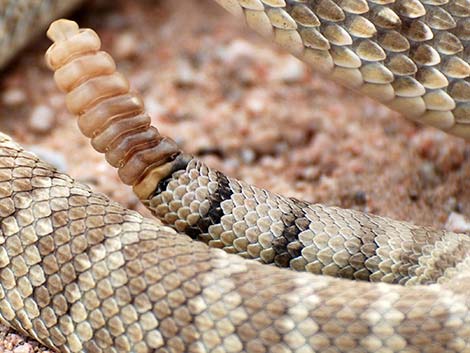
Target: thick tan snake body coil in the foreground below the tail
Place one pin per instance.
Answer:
(80, 273)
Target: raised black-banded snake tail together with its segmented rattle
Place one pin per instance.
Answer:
(230, 214)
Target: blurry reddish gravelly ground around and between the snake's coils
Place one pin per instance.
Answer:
(246, 108)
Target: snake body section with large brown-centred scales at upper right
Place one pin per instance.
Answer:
(412, 55)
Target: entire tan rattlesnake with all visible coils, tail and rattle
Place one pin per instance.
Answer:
(80, 273)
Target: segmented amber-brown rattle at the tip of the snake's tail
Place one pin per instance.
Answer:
(108, 112)
